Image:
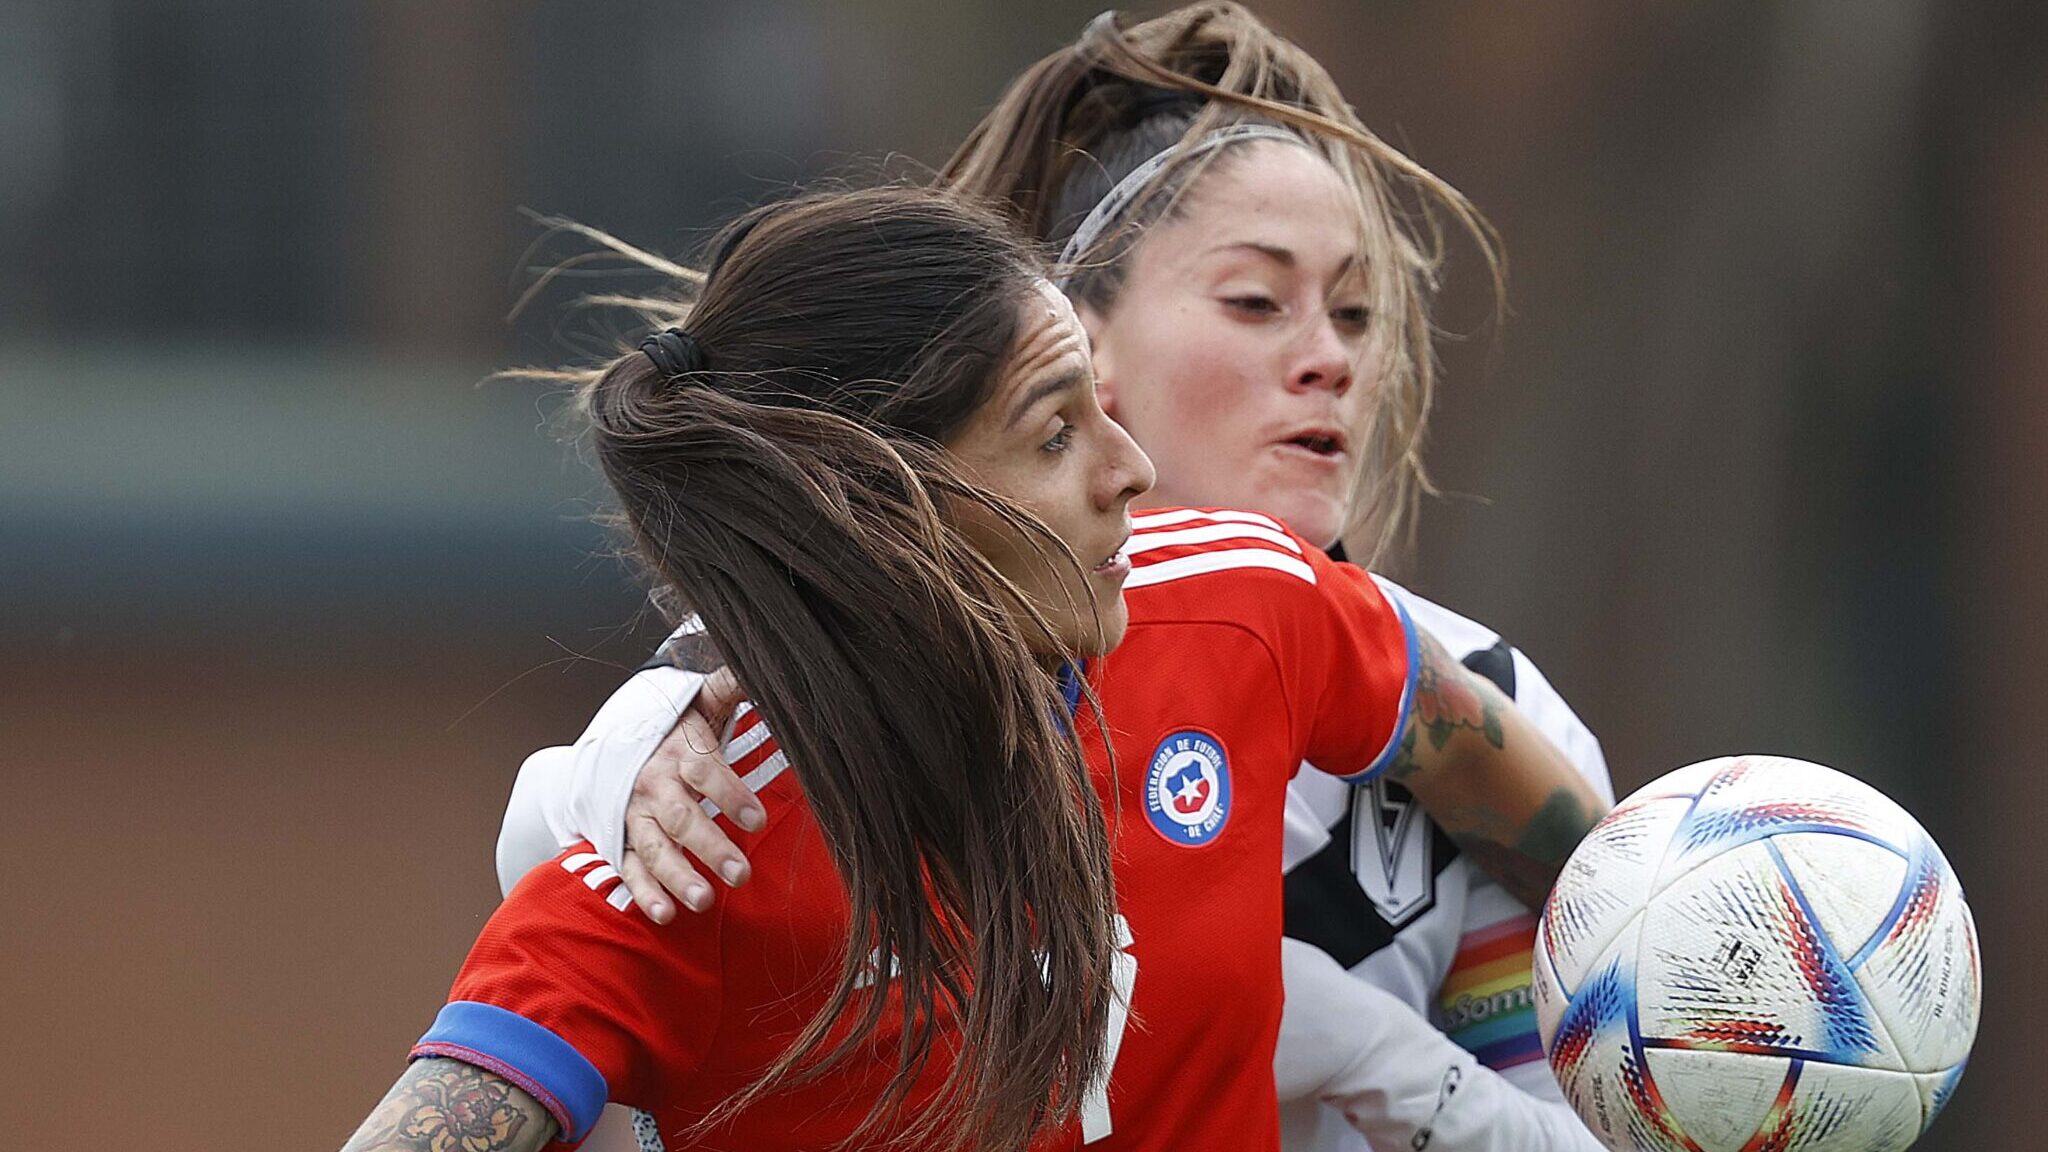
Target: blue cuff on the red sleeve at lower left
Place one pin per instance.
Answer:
(544, 1065)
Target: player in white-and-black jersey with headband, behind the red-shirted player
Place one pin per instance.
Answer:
(1261, 325)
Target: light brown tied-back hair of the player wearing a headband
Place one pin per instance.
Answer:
(1086, 116)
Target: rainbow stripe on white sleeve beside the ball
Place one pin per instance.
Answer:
(1486, 997)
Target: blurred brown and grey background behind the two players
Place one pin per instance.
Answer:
(1758, 462)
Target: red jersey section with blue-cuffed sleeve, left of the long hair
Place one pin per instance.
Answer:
(579, 999)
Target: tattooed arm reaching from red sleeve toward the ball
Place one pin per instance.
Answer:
(1490, 778)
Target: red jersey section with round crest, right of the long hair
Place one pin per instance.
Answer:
(1248, 655)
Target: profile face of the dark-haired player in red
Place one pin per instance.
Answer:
(1046, 444)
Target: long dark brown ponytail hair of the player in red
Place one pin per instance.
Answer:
(787, 483)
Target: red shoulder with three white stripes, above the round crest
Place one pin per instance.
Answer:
(1183, 557)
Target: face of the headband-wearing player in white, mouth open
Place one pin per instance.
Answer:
(1240, 339)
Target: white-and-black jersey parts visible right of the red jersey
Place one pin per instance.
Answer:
(1379, 893)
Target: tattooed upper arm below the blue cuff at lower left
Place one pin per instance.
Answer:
(445, 1106)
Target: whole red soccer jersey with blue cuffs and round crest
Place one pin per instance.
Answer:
(1248, 655)
